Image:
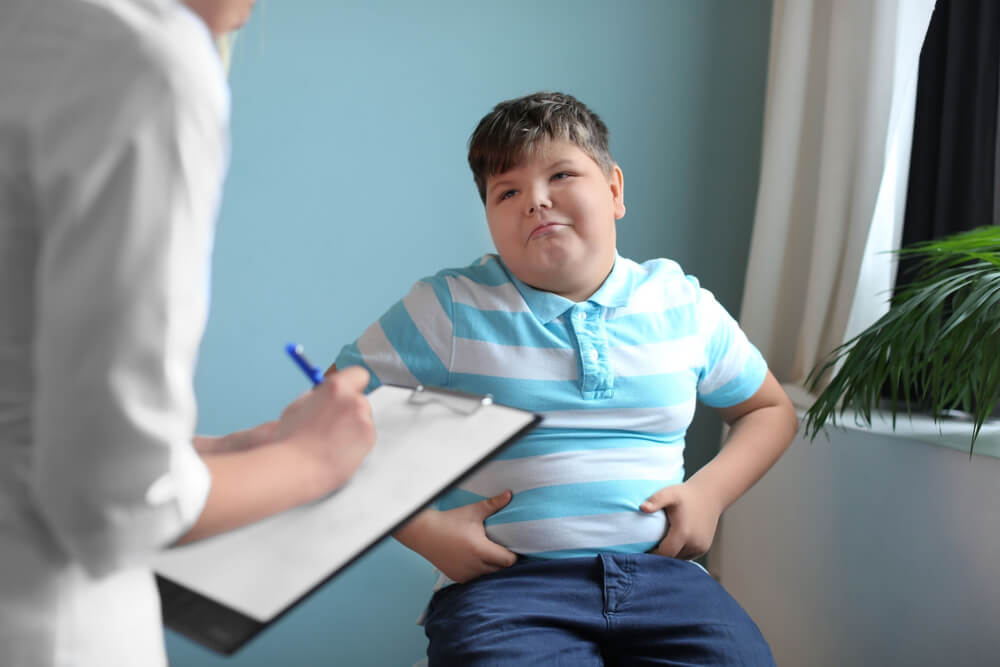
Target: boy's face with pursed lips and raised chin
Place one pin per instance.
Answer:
(552, 219)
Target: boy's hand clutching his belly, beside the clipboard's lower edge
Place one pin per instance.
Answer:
(455, 540)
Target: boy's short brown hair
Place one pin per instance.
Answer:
(506, 135)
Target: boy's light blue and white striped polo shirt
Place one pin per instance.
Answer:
(616, 379)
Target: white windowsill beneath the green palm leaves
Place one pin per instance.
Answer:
(953, 432)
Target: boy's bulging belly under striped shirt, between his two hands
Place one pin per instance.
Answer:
(577, 502)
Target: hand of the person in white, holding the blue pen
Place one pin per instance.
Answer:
(331, 426)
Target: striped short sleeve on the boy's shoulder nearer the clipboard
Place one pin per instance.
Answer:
(412, 342)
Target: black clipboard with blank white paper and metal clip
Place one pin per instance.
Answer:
(222, 591)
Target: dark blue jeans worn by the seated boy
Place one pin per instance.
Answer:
(612, 609)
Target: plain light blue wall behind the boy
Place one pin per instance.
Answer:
(349, 181)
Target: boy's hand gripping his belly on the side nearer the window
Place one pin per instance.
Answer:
(692, 517)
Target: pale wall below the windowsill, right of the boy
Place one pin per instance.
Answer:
(870, 549)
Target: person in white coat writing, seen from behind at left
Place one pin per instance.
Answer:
(113, 148)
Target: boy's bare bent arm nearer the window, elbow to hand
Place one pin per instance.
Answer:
(761, 428)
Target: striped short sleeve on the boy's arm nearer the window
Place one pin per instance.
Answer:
(734, 368)
